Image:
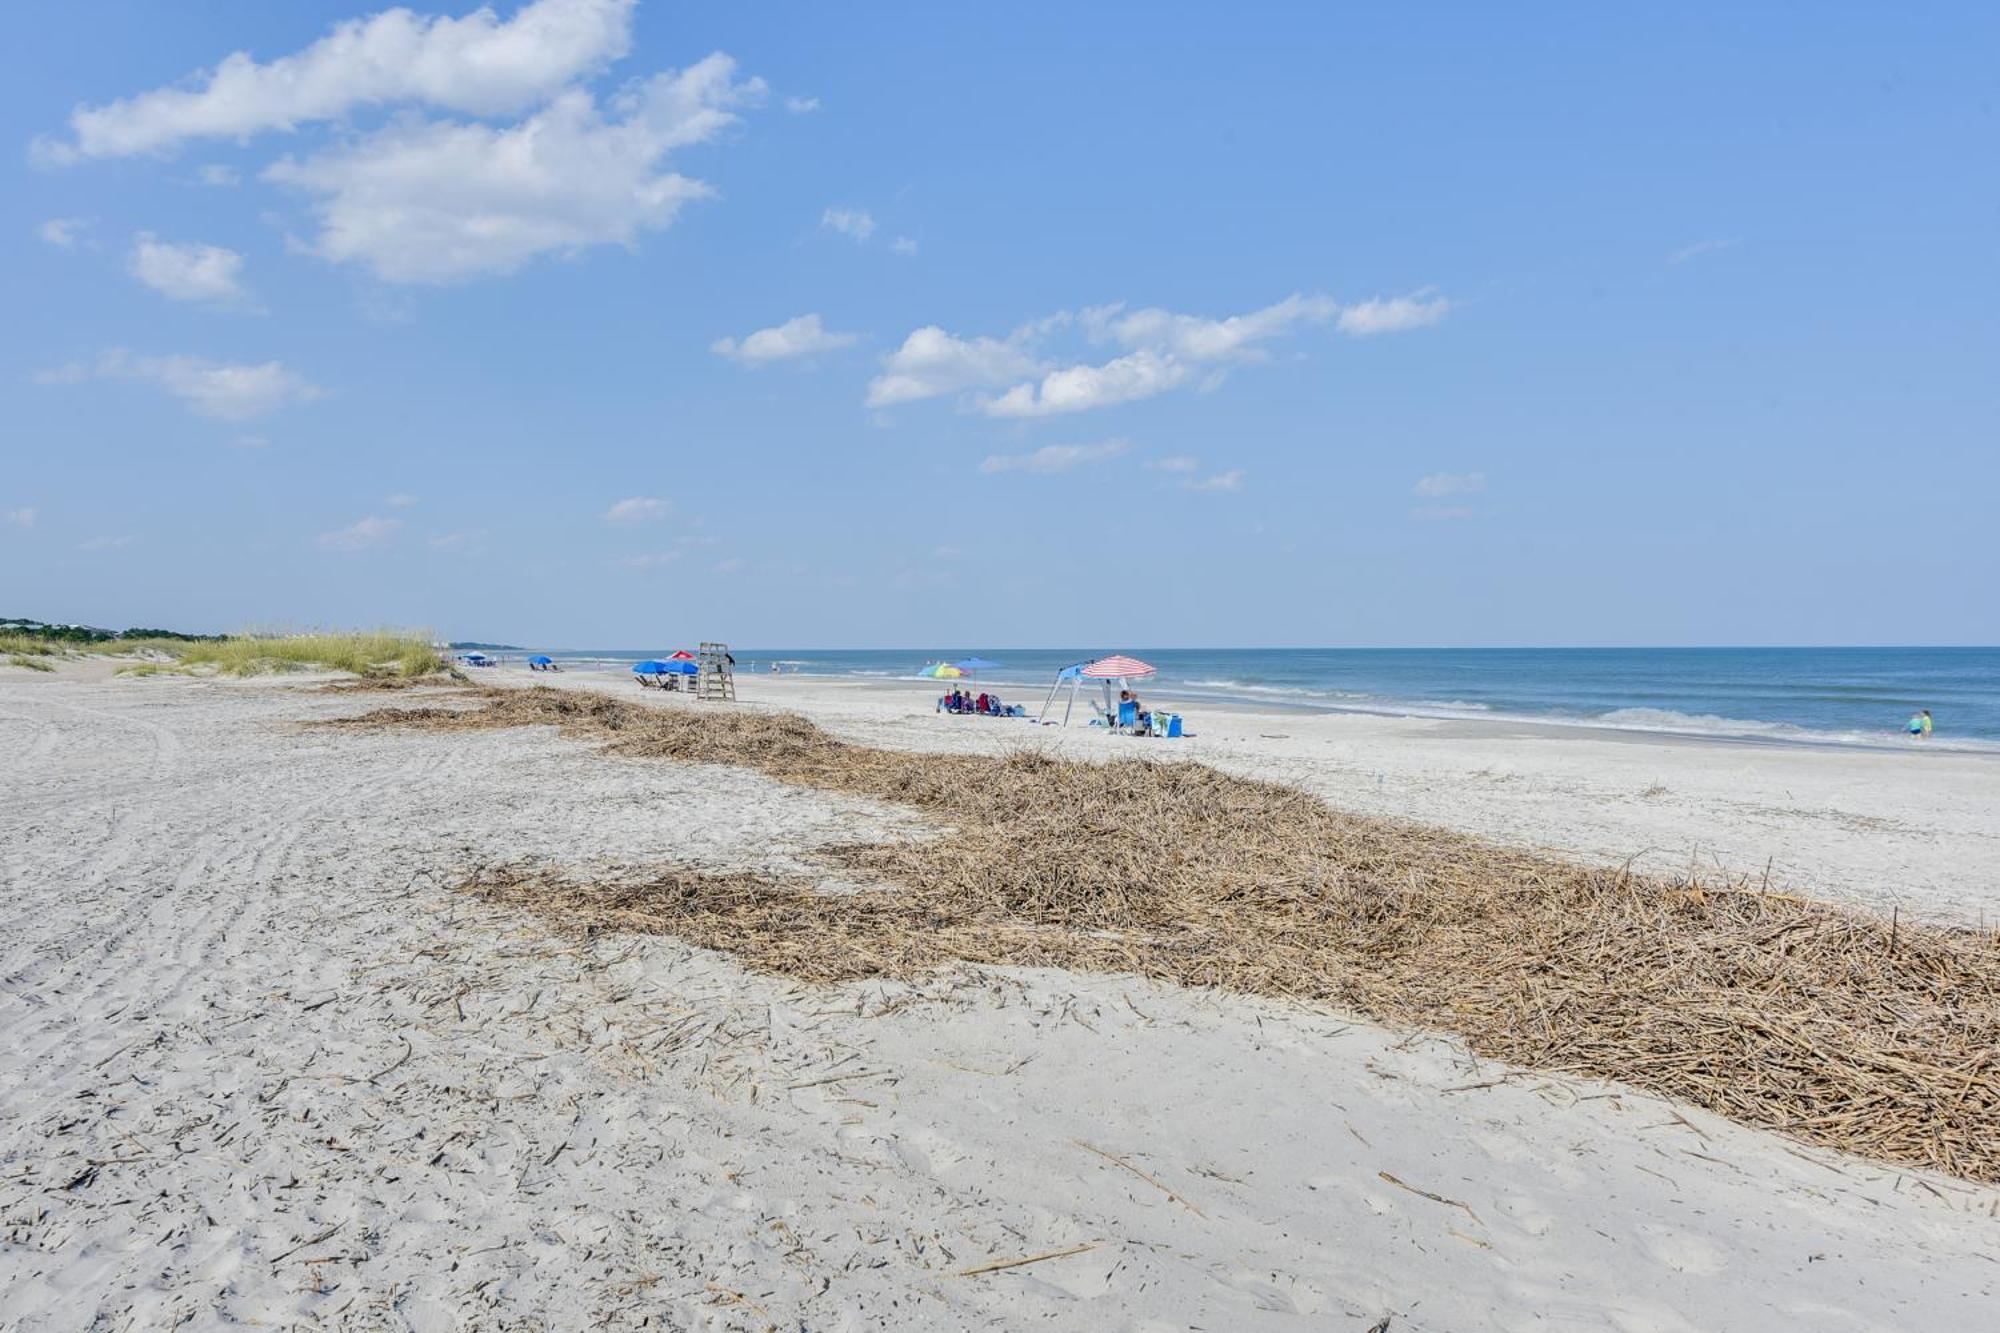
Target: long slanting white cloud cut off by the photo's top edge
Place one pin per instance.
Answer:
(475, 65)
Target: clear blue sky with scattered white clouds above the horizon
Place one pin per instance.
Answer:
(595, 323)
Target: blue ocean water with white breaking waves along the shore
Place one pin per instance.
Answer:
(1783, 696)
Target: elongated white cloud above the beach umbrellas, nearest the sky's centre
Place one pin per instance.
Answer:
(1163, 351)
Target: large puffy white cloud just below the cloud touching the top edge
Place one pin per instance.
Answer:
(441, 203)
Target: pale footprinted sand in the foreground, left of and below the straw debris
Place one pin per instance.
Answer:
(263, 1068)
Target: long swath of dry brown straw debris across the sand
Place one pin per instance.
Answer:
(1775, 1012)
